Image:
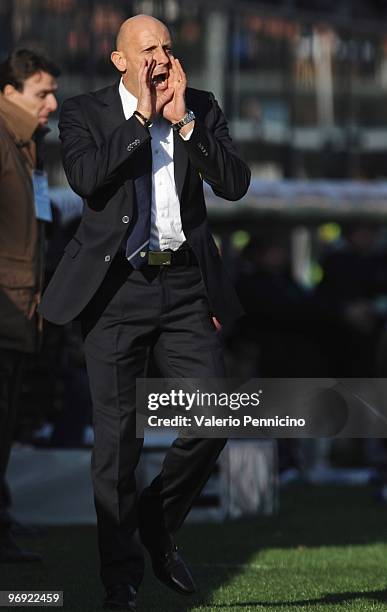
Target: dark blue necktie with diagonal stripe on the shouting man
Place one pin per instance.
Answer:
(138, 240)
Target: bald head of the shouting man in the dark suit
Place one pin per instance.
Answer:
(140, 39)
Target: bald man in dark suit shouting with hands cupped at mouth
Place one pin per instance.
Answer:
(143, 274)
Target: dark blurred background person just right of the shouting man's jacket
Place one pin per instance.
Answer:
(282, 317)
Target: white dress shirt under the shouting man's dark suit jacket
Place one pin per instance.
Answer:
(166, 228)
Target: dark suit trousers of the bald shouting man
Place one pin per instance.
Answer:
(164, 310)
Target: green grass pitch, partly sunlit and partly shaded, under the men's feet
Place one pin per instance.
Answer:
(325, 551)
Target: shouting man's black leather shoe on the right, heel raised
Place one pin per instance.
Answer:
(169, 567)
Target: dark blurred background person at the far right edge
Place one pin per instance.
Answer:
(354, 290)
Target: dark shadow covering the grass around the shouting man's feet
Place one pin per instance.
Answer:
(217, 553)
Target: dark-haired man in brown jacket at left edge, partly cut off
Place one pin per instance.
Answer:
(27, 97)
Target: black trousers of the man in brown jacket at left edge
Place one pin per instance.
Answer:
(11, 363)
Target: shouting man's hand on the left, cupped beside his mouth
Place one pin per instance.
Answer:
(149, 103)
